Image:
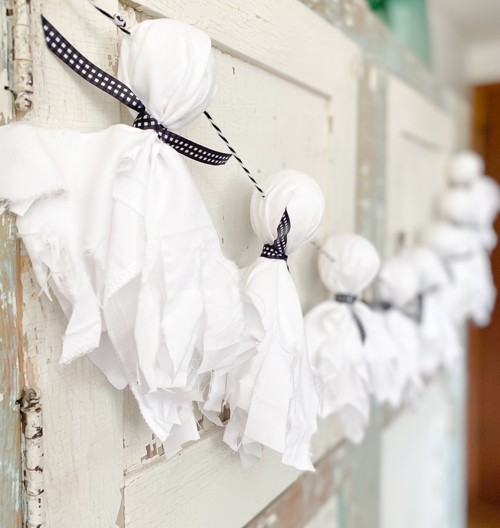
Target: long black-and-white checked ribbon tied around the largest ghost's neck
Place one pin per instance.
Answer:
(68, 54)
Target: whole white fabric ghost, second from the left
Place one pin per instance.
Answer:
(272, 397)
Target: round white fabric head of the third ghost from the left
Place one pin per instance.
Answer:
(347, 263)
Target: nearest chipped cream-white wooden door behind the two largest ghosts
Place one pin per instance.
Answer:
(287, 95)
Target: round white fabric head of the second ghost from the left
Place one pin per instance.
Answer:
(300, 195)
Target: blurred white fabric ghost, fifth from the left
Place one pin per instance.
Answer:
(440, 340)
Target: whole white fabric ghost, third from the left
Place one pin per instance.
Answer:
(351, 353)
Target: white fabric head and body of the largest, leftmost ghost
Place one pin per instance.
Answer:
(114, 224)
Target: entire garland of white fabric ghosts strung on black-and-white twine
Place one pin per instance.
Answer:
(117, 231)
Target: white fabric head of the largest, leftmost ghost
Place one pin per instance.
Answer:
(169, 65)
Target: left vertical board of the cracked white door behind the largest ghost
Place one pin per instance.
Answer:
(82, 413)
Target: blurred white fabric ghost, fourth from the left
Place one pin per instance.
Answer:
(398, 286)
